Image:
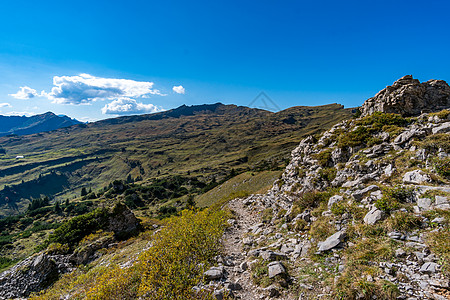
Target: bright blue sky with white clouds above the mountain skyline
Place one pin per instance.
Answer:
(98, 59)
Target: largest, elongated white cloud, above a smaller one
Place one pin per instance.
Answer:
(85, 88)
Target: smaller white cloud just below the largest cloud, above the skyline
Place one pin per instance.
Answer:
(128, 106)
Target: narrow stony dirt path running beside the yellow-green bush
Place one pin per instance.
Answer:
(245, 218)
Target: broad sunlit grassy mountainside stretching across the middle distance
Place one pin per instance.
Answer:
(204, 143)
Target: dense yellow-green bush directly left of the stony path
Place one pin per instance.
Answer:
(180, 254)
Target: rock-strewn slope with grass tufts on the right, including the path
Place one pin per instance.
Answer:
(361, 212)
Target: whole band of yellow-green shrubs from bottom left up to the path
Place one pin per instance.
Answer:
(180, 253)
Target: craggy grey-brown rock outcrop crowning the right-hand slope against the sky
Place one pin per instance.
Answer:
(409, 97)
